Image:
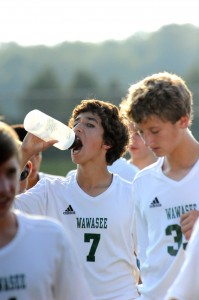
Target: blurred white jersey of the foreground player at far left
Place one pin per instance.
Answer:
(39, 263)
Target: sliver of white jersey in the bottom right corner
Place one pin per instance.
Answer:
(186, 285)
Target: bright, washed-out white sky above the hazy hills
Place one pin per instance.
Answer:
(50, 22)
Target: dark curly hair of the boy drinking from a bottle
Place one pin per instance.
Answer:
(115, 127)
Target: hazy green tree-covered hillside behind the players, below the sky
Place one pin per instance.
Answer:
(56, 78)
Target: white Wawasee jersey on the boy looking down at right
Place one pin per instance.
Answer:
(160, 201)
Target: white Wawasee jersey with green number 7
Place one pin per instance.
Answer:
(101, 228)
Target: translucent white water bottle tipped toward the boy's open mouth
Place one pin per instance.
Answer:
(48, 128)
